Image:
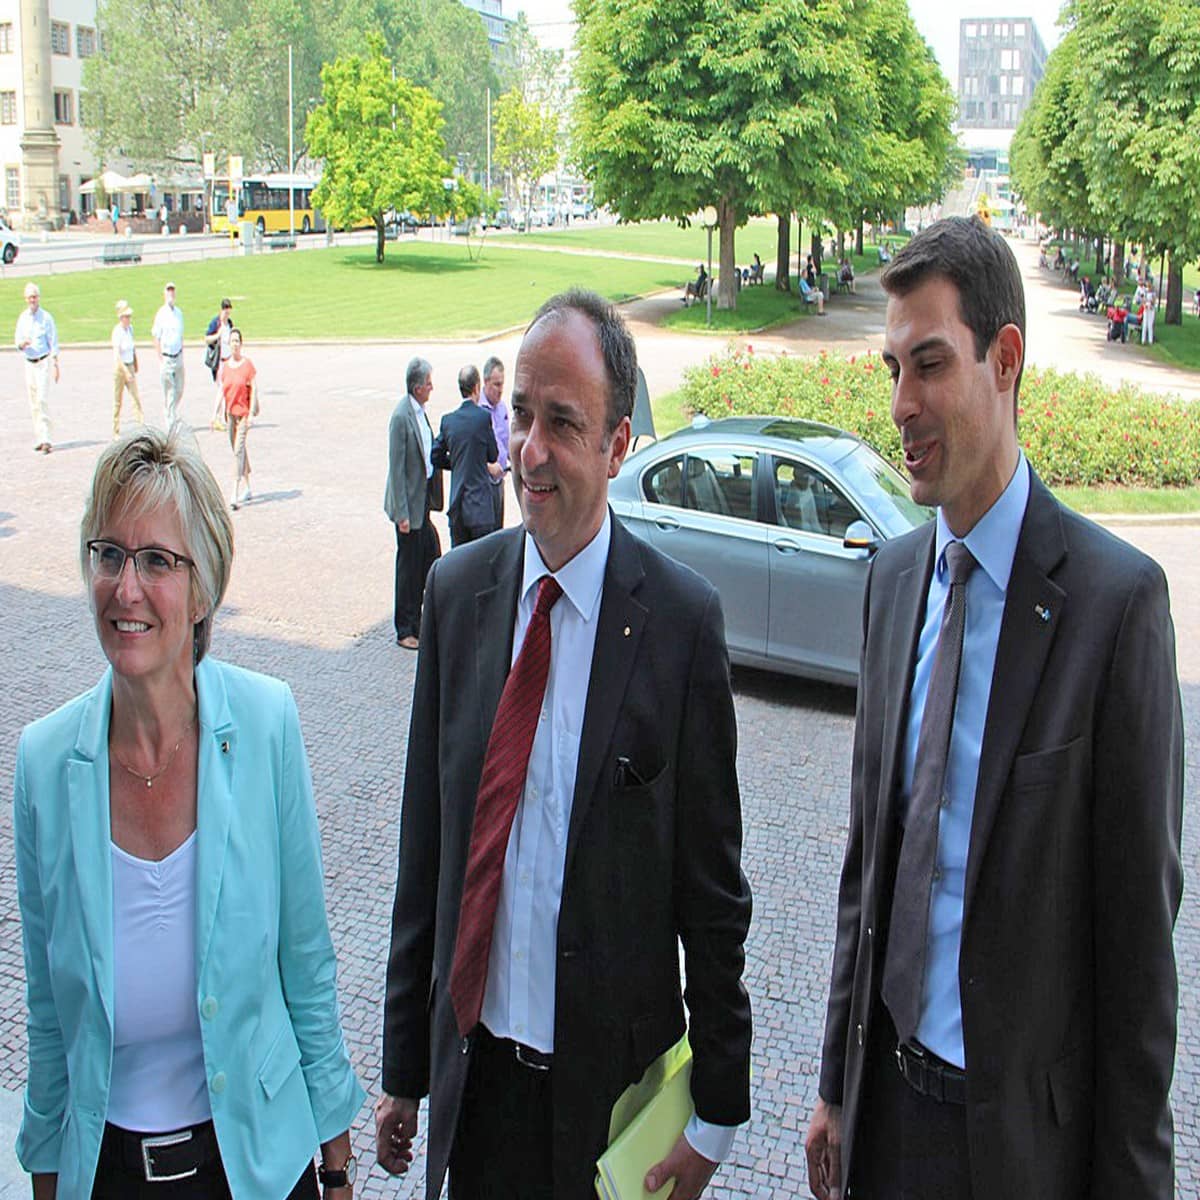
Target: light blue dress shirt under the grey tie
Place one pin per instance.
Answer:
(993, 543)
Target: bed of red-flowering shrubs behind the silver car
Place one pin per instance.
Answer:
(1075, 430)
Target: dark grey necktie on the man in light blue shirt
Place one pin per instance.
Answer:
(904, 973)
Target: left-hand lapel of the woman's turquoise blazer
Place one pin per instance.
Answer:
(92, 833)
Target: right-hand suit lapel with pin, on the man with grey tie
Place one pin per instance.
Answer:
(1025, 641)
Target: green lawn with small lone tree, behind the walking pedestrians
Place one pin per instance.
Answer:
(422, 291)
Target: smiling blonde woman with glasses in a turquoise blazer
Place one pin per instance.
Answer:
(185, 1041)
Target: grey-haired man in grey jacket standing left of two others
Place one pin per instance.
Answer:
(407, 500)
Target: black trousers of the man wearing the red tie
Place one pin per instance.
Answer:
(502, 1148)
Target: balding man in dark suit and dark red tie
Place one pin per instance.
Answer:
(622, 837)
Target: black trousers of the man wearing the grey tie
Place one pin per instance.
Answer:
(908, 1147)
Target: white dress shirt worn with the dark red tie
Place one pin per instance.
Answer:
(519, 1000)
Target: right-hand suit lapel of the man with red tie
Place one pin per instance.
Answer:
(619, 635)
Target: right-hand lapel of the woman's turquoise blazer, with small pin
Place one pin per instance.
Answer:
(217, 759)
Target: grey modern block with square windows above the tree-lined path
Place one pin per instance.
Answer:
(1001, 61)
